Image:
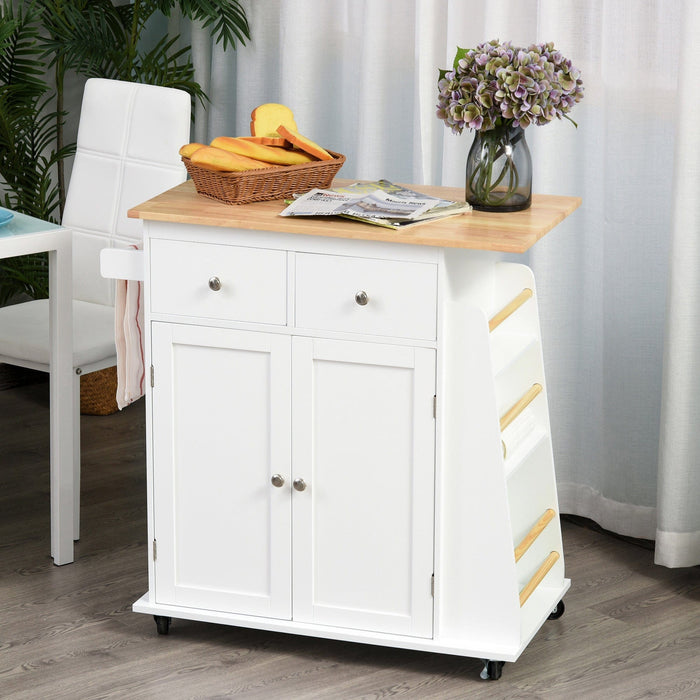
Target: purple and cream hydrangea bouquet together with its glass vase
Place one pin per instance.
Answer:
(498, 90)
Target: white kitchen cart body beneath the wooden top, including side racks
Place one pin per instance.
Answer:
(338, 443)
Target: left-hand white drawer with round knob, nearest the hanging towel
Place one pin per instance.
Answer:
(252, 282)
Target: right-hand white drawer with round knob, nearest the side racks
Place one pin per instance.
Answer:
(364, 295)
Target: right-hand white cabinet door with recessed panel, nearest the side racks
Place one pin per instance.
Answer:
(364, 445)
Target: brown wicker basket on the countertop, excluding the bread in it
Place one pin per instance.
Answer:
(276, 182)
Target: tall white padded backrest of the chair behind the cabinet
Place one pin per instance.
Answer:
(127, 152)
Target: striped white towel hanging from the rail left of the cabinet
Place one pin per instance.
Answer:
(128, 335)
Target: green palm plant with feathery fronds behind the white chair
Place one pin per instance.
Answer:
(45, 42)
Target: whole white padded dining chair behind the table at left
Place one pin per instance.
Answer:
(127, 151)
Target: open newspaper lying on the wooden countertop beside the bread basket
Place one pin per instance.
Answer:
(376, 204)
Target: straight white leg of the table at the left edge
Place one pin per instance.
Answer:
(61, 398)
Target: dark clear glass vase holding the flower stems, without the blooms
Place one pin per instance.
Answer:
(499, 170)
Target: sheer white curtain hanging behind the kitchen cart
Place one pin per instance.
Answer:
(619, 281)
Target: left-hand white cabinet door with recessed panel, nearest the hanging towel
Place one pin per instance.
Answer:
(221, 430)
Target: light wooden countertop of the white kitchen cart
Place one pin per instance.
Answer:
(511, 233)
